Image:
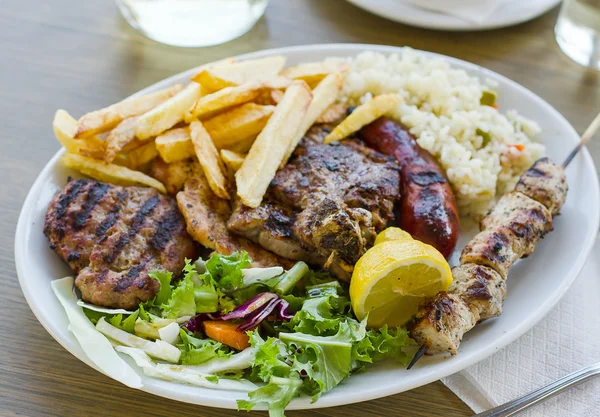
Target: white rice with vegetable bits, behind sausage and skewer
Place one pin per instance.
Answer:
(441, 108)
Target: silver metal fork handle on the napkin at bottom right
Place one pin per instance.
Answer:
(520, 404)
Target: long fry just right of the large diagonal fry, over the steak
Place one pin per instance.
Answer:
(323, 96)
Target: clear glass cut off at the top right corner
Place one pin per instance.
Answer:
(578, 31)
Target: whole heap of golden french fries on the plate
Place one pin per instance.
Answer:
(236, 121)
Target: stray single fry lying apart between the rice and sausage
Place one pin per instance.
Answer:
(363, 115)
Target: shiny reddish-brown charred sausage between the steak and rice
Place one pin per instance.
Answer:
(427, 207)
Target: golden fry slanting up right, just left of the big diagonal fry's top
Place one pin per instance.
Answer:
(225, 98)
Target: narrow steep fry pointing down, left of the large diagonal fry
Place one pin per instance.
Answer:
(209, 159)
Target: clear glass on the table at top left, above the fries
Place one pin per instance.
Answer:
(192, 23)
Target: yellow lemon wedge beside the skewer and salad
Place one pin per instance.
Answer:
(395, 276)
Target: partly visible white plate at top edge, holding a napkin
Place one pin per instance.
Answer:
(511, 14)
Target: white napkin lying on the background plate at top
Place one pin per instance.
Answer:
(474, 11)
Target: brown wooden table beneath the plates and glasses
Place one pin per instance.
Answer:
(81, 56)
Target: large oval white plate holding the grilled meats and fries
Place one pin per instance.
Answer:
(535, 285)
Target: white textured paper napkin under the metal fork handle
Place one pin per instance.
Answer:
(565, 341)
